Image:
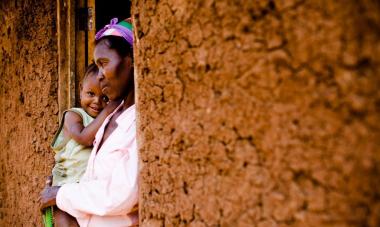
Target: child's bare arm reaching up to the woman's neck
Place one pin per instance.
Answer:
(74, 128)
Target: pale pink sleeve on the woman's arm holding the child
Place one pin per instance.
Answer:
(115, 196)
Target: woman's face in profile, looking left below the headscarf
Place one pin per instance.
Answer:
(115, 72)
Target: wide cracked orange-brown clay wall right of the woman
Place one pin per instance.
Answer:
(259, 113)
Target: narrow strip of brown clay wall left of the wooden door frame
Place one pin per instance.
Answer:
(28, 106)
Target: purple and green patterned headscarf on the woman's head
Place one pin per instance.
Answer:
(122, 29)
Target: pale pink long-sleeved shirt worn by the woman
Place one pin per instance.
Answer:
(107, 194)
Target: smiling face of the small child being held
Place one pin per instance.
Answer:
(92, 100)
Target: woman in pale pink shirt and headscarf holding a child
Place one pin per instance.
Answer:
(108, 192)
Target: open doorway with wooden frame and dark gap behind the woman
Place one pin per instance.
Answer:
(77, 23)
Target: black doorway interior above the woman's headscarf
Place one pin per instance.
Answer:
(108, 9)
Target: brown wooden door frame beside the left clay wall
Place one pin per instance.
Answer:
(72, 45)
